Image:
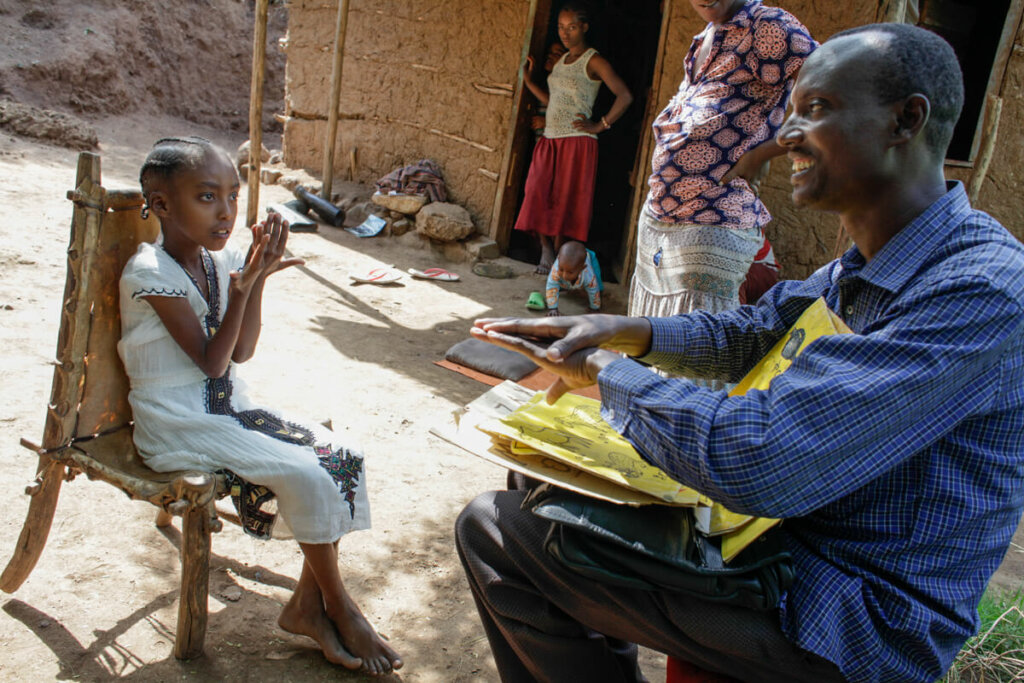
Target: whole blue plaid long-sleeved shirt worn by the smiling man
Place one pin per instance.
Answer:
(895, 454)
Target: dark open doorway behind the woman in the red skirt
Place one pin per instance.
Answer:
(626, 33)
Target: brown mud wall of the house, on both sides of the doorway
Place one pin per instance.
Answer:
(437, 81)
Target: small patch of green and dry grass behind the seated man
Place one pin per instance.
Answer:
(997, 654)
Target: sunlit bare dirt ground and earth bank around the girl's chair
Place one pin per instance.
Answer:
(102, 604)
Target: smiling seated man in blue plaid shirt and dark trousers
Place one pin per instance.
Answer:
(895, 454)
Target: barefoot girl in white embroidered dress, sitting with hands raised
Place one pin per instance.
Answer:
(190, 311)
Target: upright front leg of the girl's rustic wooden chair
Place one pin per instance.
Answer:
(195, 583)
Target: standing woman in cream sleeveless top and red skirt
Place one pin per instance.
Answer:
(560, 188)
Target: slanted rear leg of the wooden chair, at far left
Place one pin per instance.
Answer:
(37, 526)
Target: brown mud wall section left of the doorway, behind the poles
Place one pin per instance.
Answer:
(420, 80)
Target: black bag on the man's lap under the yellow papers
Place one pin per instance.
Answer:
(657, 548)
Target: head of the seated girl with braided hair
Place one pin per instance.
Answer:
(191, 184)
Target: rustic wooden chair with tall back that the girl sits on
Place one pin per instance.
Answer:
(89, 421)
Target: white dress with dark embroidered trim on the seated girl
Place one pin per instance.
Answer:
(186, 421)
